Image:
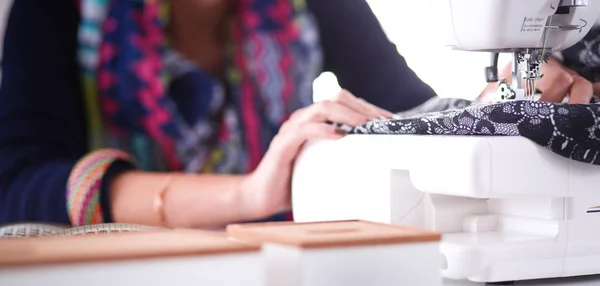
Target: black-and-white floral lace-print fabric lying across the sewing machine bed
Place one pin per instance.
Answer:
(569, 130)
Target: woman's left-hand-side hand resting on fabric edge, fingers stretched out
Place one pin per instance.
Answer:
(267, 189)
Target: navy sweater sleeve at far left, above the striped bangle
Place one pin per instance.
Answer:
(42, 124)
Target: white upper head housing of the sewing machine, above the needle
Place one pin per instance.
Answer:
(511, 25)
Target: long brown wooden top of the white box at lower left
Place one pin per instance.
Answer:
(152, 244)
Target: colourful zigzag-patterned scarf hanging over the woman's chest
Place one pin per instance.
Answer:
(144, 98)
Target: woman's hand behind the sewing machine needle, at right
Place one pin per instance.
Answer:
(557, 83)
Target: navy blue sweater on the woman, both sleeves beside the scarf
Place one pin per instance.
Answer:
(42, 120)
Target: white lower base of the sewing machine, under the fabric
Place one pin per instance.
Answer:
(537, 223)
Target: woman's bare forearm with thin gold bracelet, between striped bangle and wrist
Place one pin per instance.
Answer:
(190, 200)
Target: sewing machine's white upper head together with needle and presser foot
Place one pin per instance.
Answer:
(530, 30)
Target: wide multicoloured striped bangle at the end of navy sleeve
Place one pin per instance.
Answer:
(84, 185)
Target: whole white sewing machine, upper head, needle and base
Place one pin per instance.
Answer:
(508, 208)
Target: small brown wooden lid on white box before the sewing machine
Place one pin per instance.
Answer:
(331, 234)
